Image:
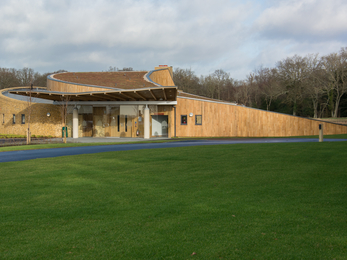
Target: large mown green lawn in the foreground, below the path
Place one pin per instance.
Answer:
(249, 201)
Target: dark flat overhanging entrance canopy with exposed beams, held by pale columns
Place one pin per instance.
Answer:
(148, 94)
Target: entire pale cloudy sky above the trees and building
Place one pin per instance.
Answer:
(233, 35)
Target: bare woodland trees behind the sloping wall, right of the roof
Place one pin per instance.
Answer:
(310, 86)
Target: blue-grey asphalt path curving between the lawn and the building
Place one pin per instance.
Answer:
(57, 152)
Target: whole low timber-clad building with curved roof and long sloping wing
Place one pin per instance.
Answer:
(139, 104)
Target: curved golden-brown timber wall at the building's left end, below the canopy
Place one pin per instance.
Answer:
(40, 123)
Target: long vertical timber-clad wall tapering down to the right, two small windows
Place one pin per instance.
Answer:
(228, 120)
